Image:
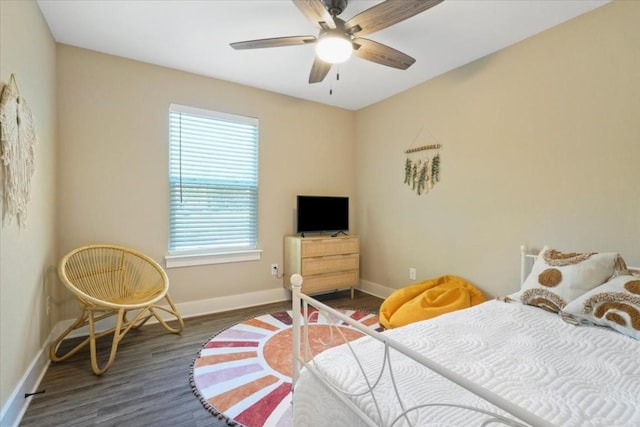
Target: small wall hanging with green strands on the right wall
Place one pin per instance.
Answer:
(422, 167)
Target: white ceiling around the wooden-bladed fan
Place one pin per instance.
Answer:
(194, 36)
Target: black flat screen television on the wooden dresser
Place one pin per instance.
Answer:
(322, 214)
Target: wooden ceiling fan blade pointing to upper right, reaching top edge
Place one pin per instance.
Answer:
(386, 14)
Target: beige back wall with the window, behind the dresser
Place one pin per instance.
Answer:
(113, 116)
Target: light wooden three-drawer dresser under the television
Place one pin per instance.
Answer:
(325, 263)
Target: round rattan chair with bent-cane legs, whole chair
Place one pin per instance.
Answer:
(109, 280)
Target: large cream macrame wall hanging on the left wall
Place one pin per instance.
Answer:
(17, 152)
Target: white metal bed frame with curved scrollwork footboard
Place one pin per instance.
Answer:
(303, 358)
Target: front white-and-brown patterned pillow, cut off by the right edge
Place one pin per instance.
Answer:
(615, 304)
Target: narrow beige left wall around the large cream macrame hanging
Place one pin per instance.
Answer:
(27, 254)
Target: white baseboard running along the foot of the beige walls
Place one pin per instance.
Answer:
(16, 405)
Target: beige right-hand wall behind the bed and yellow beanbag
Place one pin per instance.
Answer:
(541, 146)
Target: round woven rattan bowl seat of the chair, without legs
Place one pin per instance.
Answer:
(113, 276)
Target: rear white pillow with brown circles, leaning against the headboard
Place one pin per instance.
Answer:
(557, 278)
